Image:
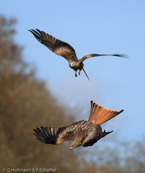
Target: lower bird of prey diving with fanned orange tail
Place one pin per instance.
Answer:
(82, 133)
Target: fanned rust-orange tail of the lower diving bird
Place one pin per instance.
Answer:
(99, 114)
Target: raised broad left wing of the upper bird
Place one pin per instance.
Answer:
(57, 46)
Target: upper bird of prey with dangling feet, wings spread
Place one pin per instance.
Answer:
(65, 50)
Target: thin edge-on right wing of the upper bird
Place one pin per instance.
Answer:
(93, 55)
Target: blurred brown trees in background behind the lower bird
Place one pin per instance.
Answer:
(26, 103)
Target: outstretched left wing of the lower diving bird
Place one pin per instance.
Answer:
(56, 135)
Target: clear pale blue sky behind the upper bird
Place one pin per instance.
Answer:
(90, 27)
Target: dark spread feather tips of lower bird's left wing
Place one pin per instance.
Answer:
(47, 135)
